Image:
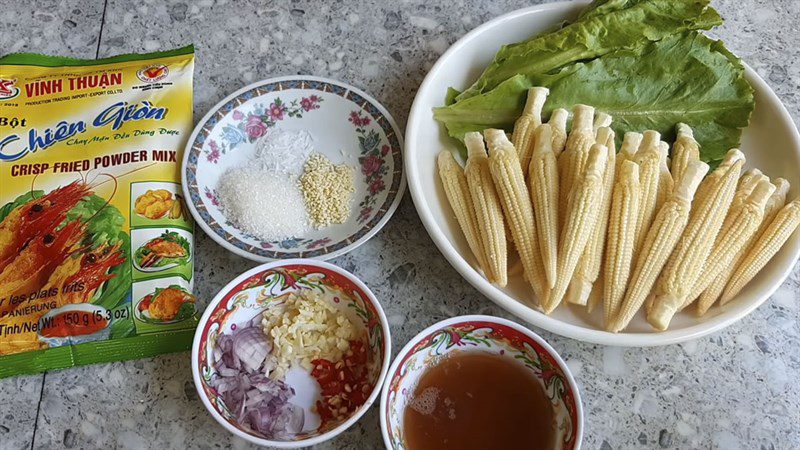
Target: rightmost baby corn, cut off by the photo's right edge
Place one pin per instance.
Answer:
(773, 238)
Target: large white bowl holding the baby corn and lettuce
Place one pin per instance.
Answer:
(771, 143)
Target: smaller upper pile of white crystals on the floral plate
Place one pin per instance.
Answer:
(284, 151)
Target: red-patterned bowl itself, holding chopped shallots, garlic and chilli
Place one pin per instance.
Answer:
(262, 290)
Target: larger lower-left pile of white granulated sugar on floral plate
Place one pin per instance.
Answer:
(266, 205)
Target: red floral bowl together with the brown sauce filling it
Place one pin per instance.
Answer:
(480, 382)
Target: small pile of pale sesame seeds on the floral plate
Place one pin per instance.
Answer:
(327, 189)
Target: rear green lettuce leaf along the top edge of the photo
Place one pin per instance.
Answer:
(623, 25)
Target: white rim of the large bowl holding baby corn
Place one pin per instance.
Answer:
(530, 315)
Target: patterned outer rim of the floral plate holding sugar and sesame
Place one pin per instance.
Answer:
(323, 257)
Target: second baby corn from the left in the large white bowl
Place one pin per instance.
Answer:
(488, 212)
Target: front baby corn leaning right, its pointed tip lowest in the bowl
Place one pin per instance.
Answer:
(666, 231)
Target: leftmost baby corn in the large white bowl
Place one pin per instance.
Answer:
(457, 193)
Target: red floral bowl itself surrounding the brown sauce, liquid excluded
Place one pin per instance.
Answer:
(486, 334)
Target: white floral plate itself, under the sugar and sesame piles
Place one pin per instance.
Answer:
(347, 126)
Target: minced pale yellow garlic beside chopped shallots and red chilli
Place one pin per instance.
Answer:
(309, 328)
